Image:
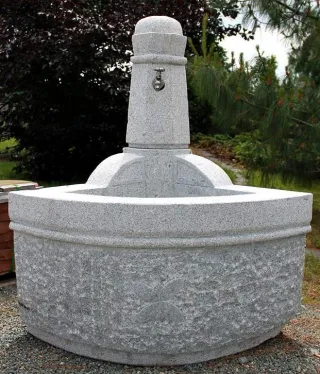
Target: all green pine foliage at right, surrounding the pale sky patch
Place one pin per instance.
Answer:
(281, 117)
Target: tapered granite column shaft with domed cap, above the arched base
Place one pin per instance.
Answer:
(158, 119)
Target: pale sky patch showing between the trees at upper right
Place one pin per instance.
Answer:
(271, 43)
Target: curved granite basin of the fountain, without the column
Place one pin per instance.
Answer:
(158, 281)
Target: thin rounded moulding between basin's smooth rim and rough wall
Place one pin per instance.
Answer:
(155, 242)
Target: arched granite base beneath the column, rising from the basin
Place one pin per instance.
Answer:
(158, 173)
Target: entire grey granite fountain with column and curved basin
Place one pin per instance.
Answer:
(158, 259)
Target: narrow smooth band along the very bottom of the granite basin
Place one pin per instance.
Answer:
(150, 359)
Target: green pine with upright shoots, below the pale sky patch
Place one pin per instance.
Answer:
(281, 118)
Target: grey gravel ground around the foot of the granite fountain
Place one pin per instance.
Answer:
(295, 350)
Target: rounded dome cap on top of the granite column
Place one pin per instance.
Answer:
(158, 24)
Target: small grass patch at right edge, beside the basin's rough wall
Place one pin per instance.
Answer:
(311, 282)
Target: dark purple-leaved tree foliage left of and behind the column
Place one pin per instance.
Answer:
(64, 77)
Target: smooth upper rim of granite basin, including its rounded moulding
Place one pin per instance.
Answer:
(125, 221)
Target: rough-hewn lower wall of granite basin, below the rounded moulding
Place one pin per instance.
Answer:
(157, 306)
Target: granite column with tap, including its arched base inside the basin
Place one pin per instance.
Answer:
(157, 162)
